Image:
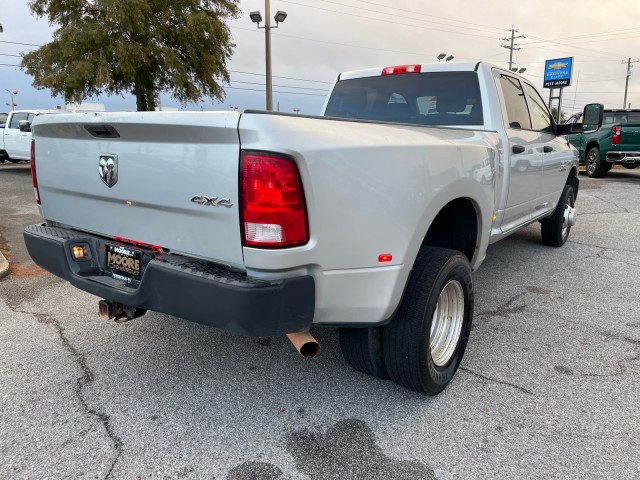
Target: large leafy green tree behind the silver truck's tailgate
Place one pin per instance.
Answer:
(143, 47)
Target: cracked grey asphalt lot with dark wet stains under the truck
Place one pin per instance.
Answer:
(548, 387)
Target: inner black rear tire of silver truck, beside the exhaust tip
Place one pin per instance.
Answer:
(362, 349)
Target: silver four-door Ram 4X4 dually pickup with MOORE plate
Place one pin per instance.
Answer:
(369, 218)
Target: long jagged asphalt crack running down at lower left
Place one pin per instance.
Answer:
(85, 378)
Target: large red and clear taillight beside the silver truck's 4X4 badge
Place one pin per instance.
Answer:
(273, 208)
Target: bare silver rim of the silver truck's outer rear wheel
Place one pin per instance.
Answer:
(446, 324)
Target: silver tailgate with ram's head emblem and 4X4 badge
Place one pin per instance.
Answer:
(167, 163)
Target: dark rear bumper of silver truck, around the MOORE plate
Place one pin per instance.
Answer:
(188, 288)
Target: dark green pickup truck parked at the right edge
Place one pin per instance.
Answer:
(616, 141)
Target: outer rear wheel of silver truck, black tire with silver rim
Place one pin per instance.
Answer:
(408, 350)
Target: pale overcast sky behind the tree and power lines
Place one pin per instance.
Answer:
(321, 38)
